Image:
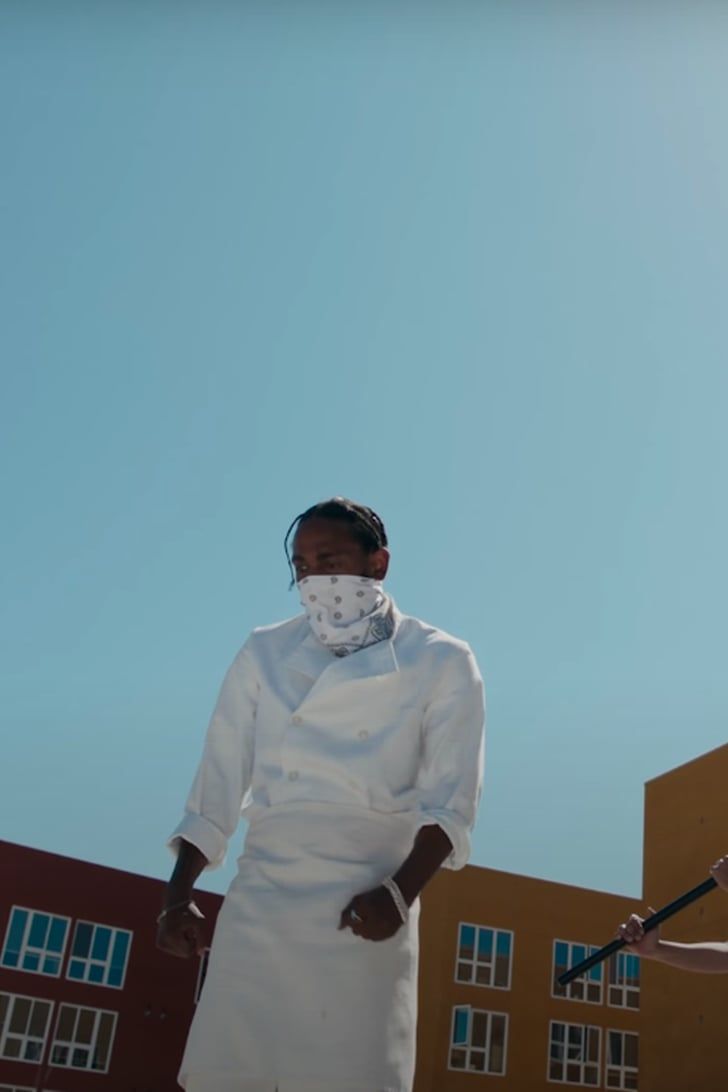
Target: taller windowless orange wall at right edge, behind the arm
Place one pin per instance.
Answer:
(684, 1042)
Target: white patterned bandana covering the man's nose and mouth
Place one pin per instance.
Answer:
(347, 613)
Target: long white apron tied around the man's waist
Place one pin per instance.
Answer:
(291, 1003)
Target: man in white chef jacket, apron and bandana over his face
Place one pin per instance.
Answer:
(352, 740)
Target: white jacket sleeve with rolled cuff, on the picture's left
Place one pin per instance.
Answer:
(212, 812)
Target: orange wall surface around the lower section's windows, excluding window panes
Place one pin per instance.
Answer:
(538, 913)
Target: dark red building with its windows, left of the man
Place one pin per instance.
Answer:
(88, 1003)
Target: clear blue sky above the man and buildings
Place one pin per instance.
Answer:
(467, 264)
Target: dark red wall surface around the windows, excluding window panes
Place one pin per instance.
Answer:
(157, 1003)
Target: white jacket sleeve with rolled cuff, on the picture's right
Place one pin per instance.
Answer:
(450, 780)
